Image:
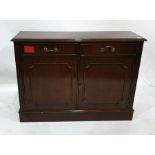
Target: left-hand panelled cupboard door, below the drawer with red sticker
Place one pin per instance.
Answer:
(49, 83)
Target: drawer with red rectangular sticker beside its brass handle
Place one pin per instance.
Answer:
(49, 49)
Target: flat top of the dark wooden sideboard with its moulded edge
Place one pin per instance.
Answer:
(78, 36)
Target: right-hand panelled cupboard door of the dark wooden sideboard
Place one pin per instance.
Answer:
(105, 82)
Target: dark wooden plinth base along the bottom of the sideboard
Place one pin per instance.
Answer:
(75, 115)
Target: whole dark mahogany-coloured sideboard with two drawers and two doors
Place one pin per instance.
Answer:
(77, 76)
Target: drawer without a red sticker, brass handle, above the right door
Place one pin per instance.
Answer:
(108, 48)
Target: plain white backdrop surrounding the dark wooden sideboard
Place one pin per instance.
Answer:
(145, 94)
